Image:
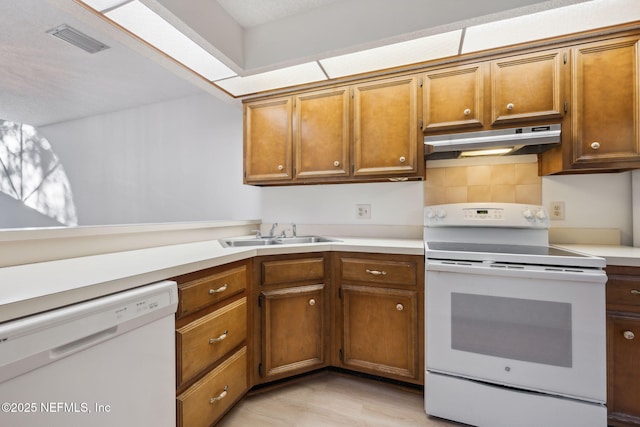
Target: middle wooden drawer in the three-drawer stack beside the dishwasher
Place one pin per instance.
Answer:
(207, 339)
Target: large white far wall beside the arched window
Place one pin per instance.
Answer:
(174, 161)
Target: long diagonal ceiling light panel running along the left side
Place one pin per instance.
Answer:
(150, 27)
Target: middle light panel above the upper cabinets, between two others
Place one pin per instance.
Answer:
(395, 55)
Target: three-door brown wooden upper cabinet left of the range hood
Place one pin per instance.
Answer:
(364, 132)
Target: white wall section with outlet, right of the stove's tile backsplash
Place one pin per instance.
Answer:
(593, 201)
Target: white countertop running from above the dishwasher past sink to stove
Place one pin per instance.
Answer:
(32, 288)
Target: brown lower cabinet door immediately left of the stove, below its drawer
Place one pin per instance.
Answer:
(380, 330)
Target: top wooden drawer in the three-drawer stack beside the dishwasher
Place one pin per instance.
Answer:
(200, 293)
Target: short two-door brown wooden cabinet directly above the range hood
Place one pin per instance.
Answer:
(510, 90)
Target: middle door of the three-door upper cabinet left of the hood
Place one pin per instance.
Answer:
(321, 134)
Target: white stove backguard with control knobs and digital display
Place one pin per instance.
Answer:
(513, 215)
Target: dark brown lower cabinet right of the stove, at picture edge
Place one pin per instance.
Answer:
(623, 346)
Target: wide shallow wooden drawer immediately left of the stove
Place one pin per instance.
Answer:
(379, 271)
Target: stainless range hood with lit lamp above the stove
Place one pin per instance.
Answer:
(521, 140)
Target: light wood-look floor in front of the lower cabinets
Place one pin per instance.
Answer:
(333, 399)
